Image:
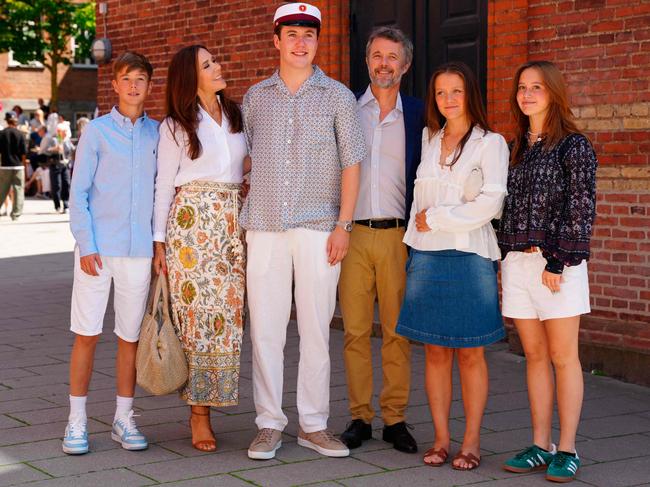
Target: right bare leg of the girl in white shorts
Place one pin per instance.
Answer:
(562, 335)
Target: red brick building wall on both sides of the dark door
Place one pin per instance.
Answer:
(602, 46)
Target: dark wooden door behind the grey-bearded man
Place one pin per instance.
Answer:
(441, 31)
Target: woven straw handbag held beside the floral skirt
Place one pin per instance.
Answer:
(160, 361)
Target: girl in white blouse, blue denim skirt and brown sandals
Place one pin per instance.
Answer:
(451, 300)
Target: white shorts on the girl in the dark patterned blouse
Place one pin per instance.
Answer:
(525, 297)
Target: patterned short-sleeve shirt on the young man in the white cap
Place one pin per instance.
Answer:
(299, 144)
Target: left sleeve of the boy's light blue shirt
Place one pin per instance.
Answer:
(86, 161)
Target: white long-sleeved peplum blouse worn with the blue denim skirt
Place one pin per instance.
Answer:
(456, 223)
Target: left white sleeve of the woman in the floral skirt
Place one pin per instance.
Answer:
(170, 152)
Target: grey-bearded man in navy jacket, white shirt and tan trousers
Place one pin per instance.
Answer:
(375, 265)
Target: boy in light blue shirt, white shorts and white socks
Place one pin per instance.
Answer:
(111, 209)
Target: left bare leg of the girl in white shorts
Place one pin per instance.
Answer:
(539, 375)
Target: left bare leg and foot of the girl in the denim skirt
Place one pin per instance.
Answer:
(437, 378)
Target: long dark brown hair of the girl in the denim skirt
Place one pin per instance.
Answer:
(434, 120)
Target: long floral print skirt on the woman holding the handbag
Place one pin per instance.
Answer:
(206, 264)
